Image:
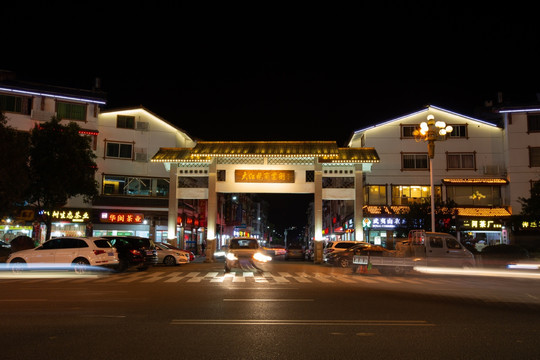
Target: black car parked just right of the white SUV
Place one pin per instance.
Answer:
(133, 251)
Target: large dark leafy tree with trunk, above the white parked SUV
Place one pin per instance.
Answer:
(61, 166)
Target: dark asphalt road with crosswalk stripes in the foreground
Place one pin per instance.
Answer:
(290, 310)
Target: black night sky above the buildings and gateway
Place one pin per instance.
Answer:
(286, 73)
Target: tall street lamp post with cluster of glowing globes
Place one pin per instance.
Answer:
(432, 131)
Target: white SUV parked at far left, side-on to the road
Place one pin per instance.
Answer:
(74, 253)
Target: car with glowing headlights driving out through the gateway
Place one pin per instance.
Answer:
(244, 252)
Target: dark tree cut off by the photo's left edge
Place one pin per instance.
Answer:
(14, 175)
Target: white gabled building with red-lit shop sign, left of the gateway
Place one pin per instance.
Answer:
(130, 186)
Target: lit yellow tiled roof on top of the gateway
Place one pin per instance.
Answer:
(326, 151)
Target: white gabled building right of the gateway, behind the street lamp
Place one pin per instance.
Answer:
(469, 168)
